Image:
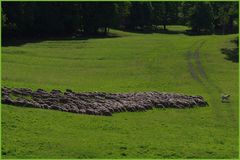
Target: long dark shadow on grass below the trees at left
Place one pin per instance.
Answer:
(21, 41)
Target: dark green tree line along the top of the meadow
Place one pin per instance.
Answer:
(27, 19)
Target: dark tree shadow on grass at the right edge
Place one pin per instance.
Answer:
(232, 54)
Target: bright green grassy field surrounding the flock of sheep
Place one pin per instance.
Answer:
(128, 63)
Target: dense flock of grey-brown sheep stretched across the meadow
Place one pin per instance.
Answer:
(97, 103)
